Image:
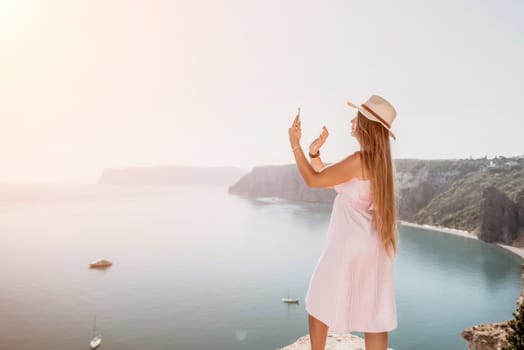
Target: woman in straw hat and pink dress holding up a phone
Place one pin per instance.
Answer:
(352, 286)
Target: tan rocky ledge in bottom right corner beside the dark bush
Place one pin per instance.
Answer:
(490, 336)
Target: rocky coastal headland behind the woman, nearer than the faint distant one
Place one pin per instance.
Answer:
(449, 193)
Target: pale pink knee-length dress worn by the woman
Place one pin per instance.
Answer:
(352, 288)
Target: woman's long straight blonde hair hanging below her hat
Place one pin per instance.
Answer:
(375, 155)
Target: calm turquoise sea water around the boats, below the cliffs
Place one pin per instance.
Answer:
(197, 268)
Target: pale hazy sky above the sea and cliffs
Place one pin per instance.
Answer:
(88, 85)
